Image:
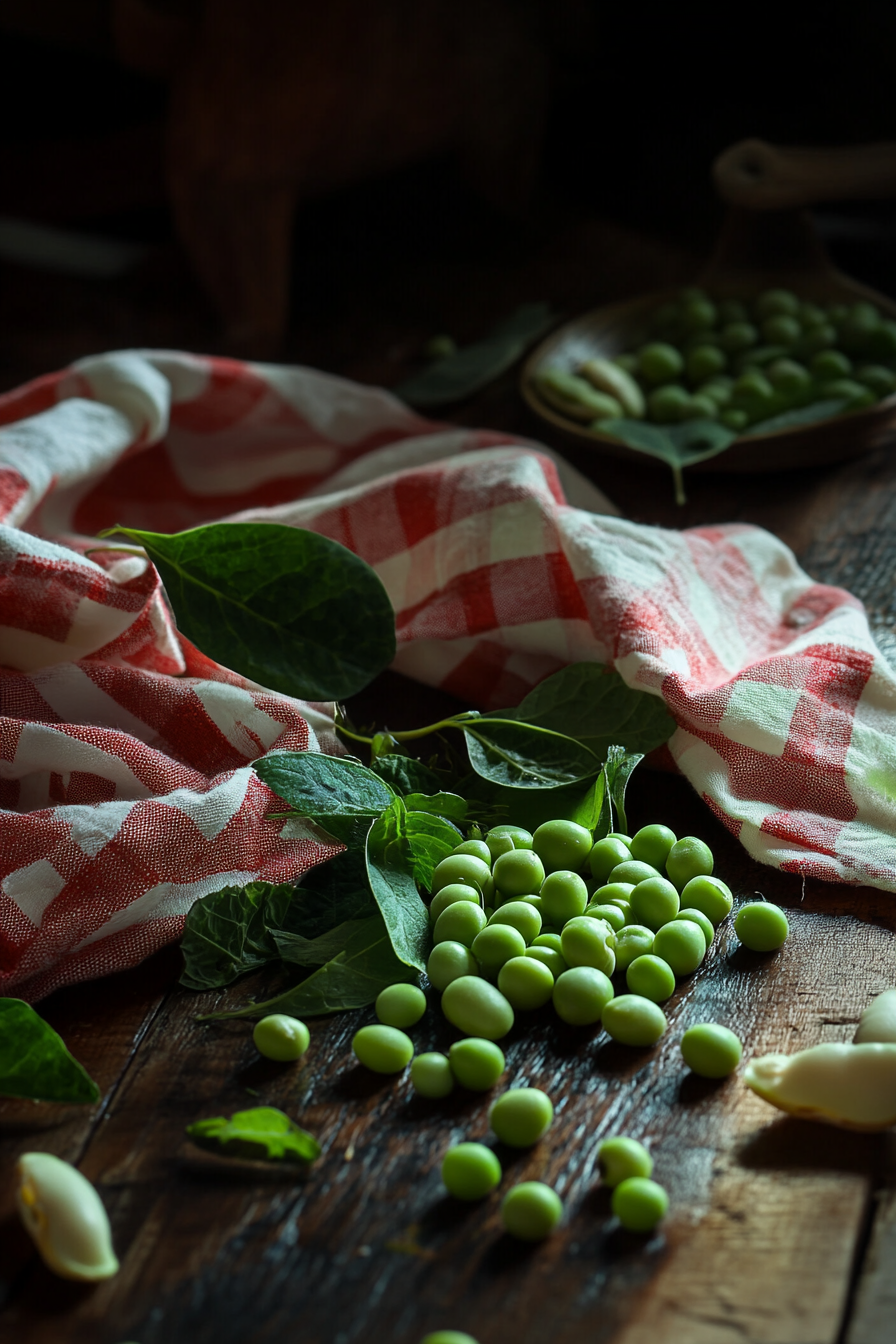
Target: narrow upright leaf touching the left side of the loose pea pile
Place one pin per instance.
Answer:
(390, 873)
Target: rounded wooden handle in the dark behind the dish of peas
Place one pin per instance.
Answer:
(764, 177)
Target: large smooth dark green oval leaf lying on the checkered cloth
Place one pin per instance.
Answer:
(284, 607)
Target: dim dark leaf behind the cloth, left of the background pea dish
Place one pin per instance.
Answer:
(464, 373)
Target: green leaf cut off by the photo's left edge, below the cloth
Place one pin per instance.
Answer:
(34, 1060)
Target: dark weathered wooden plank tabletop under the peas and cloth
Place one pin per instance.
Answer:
(780, 1232)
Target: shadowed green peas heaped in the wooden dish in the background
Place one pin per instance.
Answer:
(742, 361)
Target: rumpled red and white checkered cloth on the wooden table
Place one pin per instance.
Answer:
(124, 752)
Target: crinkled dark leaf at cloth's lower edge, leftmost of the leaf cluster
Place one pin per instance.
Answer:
(226, 935)
